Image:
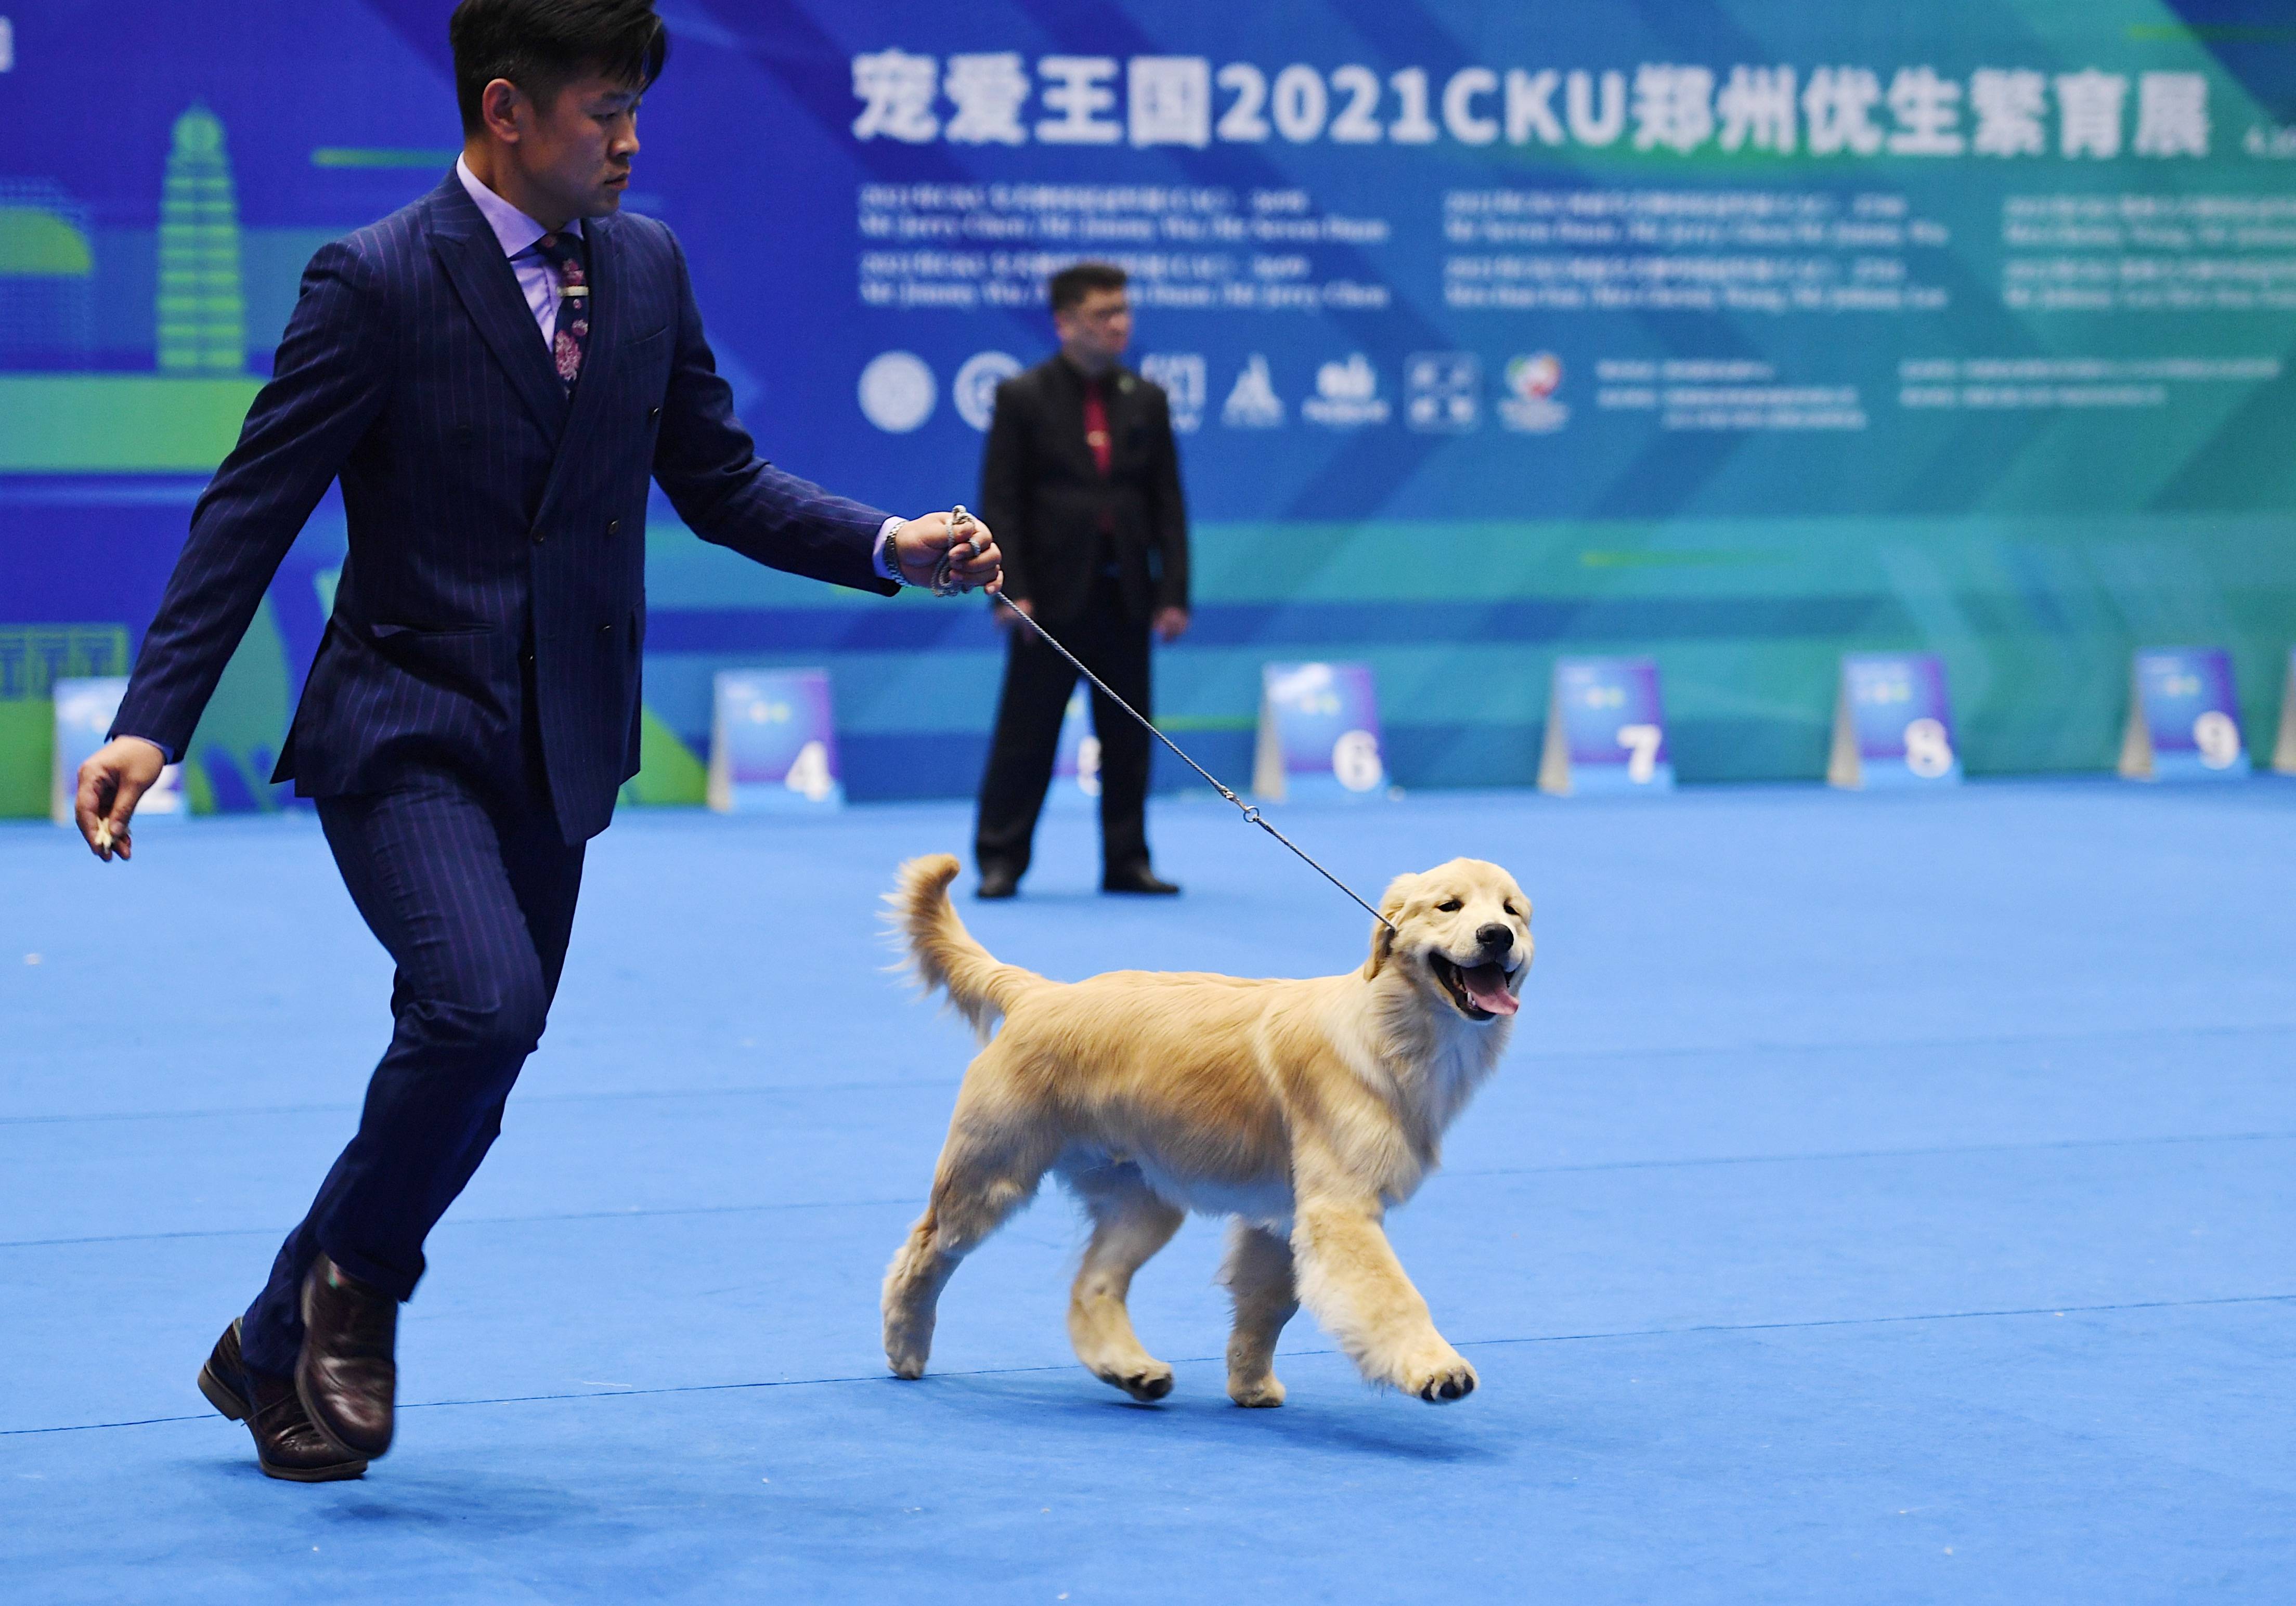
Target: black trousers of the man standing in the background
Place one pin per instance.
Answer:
(1115, 646)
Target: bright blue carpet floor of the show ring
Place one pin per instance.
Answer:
(1886, 1201)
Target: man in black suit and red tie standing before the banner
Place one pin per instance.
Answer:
(1083, 483)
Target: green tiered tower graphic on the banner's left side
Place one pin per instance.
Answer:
(203, 318)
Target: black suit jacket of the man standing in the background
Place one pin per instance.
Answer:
(1044, 494)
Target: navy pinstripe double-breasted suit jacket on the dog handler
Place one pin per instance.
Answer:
(488, 513)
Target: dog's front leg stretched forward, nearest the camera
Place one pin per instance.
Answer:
(1353, 1286)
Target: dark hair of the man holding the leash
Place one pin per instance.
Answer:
(548, 45)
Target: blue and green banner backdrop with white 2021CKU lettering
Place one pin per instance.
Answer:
(1728, 334)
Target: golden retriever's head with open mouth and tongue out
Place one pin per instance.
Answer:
(1461, 933)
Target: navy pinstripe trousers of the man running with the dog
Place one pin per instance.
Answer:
(472, 891)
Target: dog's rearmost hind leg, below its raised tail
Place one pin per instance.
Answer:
(979, 1183)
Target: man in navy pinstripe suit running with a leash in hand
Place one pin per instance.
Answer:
(495, 375)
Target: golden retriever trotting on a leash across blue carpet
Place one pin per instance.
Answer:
(1301, 1109)
